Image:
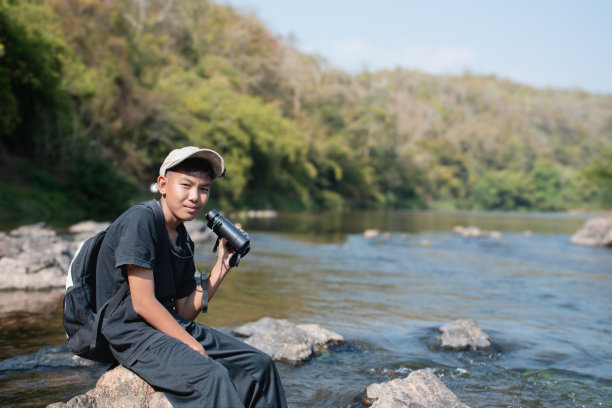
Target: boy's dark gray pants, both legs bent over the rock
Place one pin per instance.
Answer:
(233, 375)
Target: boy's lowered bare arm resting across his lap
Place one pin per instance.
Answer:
(142, 289)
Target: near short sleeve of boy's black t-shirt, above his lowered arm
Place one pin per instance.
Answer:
(136, 239)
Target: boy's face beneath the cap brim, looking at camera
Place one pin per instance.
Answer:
(186, 194)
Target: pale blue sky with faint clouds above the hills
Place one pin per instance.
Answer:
(542, 43)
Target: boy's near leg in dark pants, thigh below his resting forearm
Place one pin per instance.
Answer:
(187, 378)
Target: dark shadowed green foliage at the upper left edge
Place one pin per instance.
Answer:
(31, 69)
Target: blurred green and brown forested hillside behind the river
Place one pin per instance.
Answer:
(95, 93)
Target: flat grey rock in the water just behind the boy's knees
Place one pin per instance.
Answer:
(285, 341)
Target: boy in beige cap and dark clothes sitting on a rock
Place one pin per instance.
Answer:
(152, 330)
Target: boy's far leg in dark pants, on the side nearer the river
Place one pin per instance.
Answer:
(253, 372)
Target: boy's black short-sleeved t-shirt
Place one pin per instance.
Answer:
(139, 237)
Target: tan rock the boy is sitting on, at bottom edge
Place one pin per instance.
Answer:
(118, 387)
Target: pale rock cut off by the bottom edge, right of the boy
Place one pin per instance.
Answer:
(421, 389)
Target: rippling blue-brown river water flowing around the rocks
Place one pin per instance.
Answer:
(545, 303)
